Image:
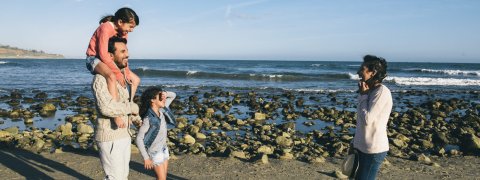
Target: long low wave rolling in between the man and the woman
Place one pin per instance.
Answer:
(287, 76)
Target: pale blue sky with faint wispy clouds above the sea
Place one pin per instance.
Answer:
(321, 30)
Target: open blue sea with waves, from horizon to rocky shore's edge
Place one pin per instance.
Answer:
(72, 75)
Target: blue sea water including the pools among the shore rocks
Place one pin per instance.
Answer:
(411, 83)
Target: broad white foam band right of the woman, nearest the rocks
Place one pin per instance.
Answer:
(424, 81)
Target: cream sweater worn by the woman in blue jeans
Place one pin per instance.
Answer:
(373, 112)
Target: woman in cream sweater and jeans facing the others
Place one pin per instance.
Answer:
(373, 111)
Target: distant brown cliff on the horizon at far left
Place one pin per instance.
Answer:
(17, 53)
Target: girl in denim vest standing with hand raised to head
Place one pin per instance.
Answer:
(152, 135)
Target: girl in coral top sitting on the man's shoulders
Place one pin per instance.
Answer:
(98, 59)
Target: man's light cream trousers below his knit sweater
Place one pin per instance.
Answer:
(115, 158)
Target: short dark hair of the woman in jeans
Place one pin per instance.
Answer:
(378, 64)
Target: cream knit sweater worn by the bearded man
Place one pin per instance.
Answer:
(105, 127)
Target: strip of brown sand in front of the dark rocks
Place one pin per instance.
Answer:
(23, 164)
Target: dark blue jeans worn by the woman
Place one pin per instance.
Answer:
(369, 165)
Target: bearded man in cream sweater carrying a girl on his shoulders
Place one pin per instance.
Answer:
(112, 135)
